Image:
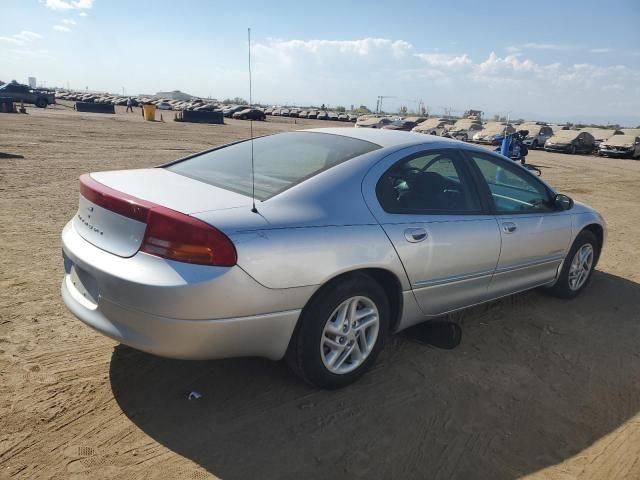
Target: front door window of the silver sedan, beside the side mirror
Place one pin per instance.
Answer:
(512, 190)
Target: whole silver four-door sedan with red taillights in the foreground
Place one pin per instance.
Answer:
(333, 240)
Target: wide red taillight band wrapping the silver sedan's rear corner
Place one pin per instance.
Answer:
(169, 234)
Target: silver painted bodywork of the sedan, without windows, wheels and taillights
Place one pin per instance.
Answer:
(301, 238)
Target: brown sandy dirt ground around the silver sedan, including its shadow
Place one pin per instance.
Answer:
(539, 388)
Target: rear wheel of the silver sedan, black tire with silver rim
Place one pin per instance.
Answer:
(340, 333)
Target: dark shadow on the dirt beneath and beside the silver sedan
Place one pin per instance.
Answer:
(535, 381)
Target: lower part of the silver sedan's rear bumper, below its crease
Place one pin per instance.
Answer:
(259, 335)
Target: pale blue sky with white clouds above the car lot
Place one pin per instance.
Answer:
(553, 60)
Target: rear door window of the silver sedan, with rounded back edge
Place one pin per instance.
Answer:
(428, 183)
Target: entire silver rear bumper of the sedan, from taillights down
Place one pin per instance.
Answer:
(177, 310)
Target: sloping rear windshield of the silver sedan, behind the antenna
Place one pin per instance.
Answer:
(280, 161)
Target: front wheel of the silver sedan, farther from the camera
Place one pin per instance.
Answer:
(578, 266)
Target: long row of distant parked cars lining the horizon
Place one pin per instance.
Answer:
(605, 142)
